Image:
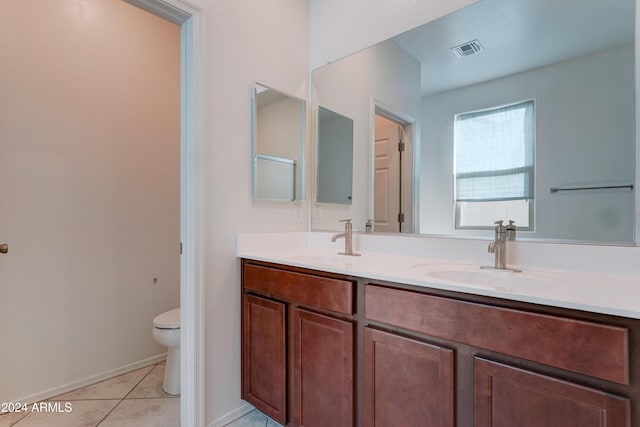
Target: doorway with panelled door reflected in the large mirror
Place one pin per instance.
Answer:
(393, 173)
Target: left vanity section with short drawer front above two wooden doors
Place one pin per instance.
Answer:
(298, 346)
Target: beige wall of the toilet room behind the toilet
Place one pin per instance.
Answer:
(89, 189)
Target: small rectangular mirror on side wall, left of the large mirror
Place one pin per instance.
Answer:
(278, 141)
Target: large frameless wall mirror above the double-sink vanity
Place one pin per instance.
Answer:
(506, 109)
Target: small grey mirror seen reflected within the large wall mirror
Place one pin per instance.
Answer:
(334, 157)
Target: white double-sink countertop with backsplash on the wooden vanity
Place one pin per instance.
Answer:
(454, 266)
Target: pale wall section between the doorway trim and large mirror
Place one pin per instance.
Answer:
(244, 42)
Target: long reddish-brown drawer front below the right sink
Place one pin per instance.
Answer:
(589, 348)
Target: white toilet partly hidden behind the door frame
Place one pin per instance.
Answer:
(166, 331)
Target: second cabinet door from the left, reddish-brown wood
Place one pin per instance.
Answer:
(323, 370)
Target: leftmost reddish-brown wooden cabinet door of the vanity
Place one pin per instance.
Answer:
(264, 375)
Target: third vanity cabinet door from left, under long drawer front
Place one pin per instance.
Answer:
(407, 382)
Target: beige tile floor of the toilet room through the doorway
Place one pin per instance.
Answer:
(134, 399)
